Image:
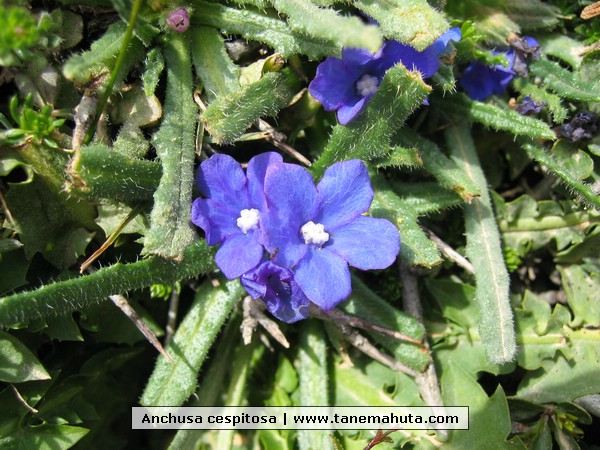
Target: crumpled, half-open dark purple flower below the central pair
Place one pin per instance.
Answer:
(276, 286)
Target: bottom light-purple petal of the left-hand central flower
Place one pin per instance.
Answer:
(238, 254)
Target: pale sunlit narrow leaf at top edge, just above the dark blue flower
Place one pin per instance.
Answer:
(326, 24)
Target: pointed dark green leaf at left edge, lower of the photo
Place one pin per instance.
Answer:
(17, 362)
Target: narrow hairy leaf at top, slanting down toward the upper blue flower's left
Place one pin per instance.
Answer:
(252, 24)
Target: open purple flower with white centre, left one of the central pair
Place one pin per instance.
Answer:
(231, 212)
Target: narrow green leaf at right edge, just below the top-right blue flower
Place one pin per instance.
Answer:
(565, 83)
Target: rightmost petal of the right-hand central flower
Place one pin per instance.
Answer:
(366, 243)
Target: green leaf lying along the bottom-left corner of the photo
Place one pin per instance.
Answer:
(44, 437)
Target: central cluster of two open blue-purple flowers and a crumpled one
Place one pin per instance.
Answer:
(291, 242)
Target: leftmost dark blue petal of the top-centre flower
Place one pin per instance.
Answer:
(333, 84)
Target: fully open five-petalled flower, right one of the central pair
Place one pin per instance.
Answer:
(316, 232)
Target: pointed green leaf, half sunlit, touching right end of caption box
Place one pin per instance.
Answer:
(489, 419)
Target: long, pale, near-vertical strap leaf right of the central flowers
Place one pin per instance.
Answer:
(485, 253)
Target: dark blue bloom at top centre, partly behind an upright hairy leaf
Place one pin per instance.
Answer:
(347, 84)
